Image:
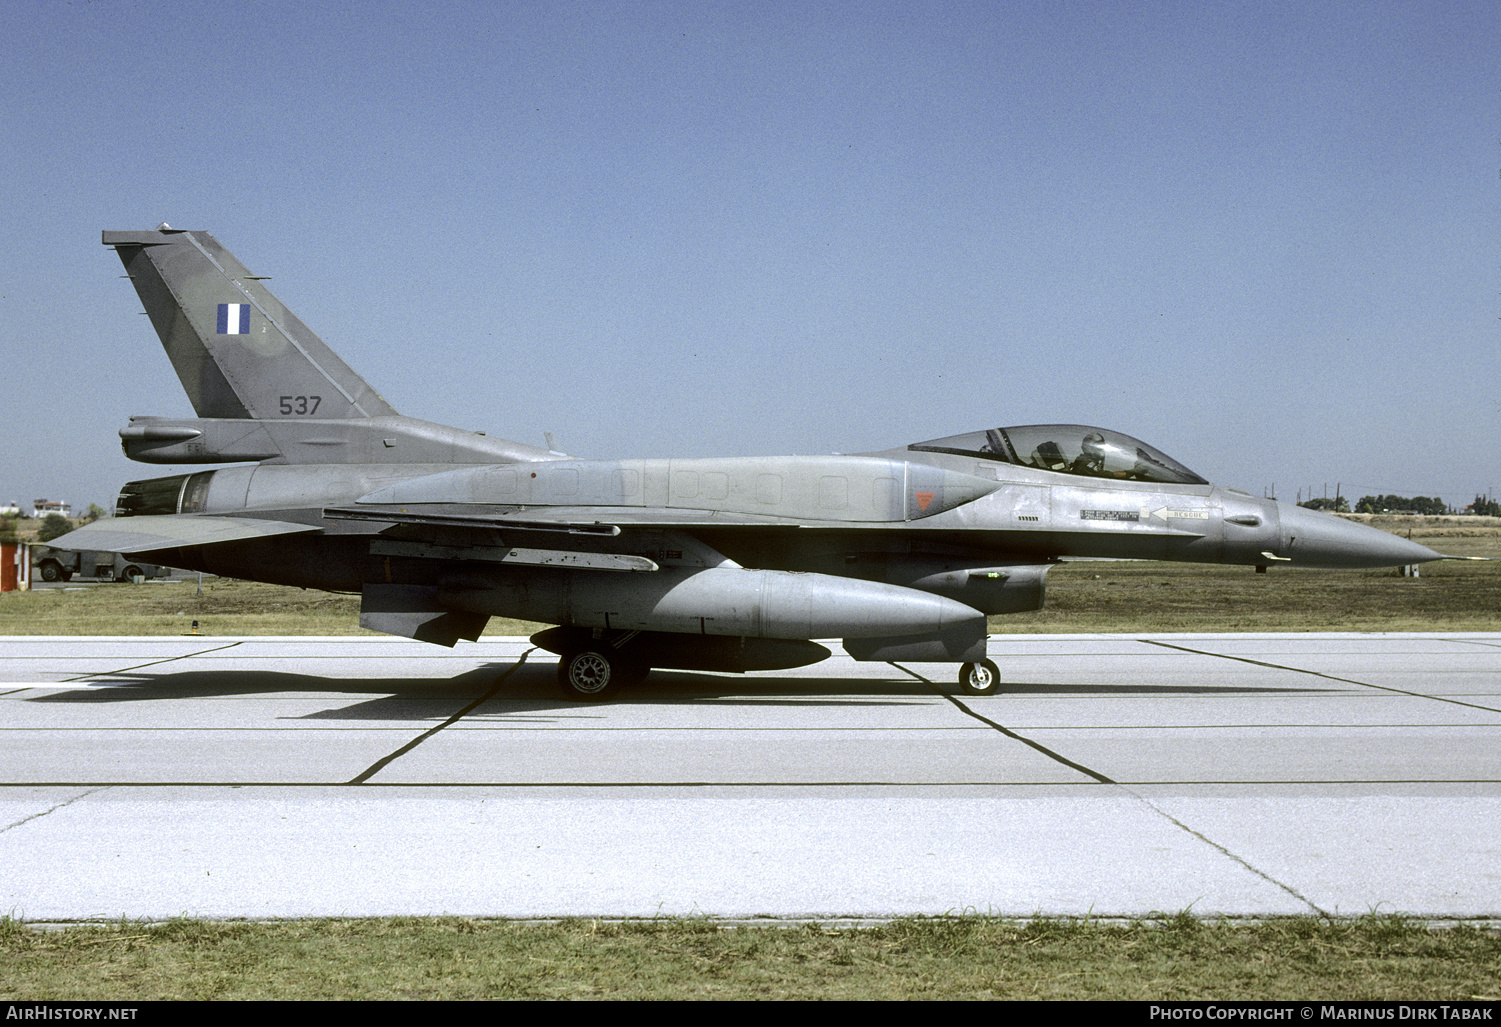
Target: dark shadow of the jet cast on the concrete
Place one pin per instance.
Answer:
(534, 687)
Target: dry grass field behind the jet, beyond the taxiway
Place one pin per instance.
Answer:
(1083, 597)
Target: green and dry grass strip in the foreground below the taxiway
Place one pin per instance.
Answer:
(1167, 959)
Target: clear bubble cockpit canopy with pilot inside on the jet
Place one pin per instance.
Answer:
(1068, 450)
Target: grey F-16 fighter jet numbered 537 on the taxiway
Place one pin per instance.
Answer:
(721, 565)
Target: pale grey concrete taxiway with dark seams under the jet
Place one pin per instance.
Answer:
(1117, 776)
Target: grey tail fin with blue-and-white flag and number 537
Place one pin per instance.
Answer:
(236, 349)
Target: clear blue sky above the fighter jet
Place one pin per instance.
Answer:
(1260, 236)
